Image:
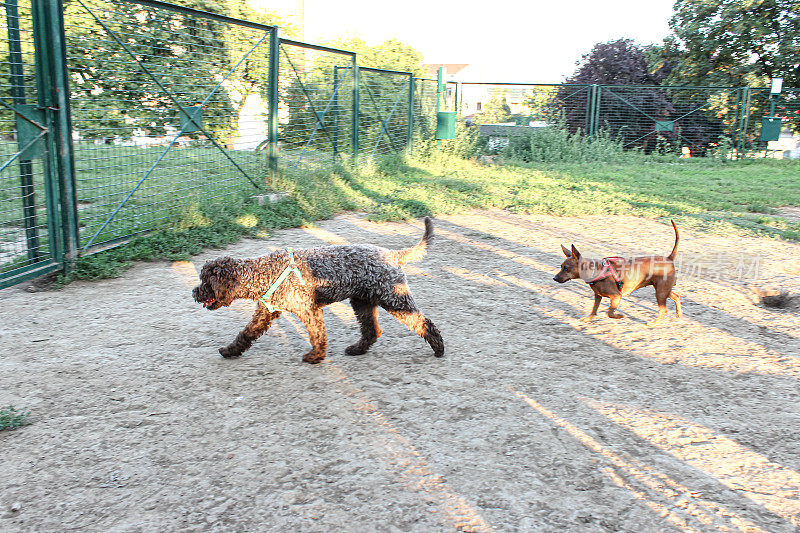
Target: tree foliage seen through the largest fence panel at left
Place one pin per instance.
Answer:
(112, 95)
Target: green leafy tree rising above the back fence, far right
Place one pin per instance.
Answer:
(735, 42)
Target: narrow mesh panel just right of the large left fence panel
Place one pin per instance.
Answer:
(316, 105)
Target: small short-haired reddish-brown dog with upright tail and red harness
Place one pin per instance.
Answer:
(615, 277)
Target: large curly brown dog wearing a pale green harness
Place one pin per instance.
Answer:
(370, 276)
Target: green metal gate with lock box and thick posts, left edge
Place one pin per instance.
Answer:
(35, 178)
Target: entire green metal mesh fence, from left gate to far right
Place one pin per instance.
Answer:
(120, 117)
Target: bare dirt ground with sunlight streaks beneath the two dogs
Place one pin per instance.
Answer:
(533, 420)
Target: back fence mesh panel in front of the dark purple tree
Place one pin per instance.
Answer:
(690, 120)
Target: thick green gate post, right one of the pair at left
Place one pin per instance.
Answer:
(62, 140)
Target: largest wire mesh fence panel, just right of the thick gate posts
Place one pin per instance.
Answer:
(169, 112)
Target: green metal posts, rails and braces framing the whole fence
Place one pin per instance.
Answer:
(51, 68)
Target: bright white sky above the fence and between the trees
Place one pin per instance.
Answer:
(530, 41)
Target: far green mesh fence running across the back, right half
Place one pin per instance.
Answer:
(683, 120)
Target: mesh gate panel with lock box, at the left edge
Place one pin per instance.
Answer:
(27, 232)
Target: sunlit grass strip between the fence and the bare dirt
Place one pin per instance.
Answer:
(710, 194)
